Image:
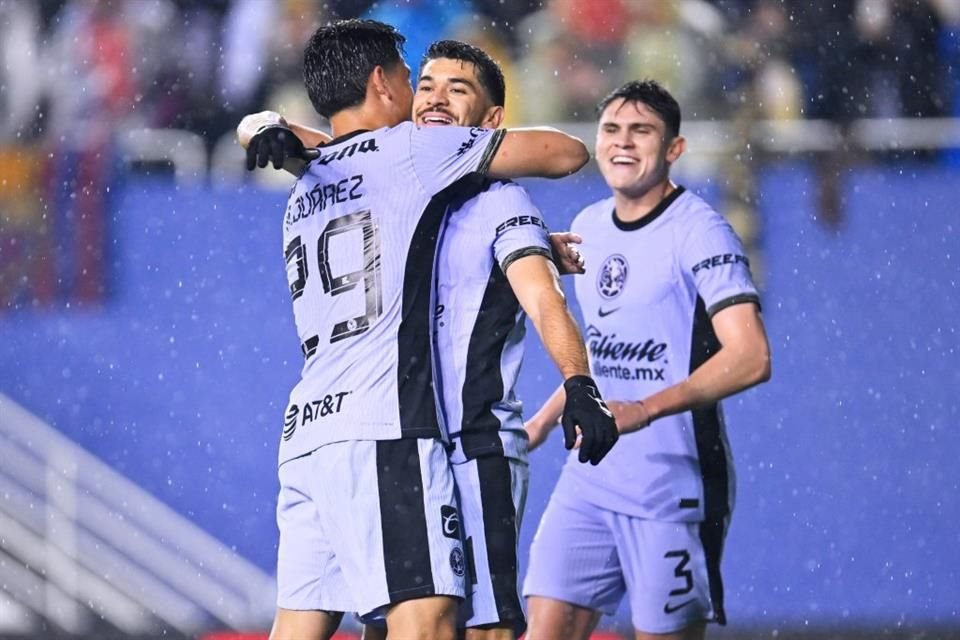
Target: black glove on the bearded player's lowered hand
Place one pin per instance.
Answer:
(586, 409)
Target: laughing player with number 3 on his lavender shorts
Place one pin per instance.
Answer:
(673, 326)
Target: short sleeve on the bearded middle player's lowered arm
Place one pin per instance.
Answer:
(520, 228)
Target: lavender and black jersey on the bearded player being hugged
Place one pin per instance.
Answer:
(479, 322)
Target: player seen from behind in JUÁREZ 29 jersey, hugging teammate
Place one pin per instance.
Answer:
(367, 495)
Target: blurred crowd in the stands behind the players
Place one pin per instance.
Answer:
(77, 67)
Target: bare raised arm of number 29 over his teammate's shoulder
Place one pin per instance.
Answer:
(542, 152)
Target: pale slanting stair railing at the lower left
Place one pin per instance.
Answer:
(82, 546)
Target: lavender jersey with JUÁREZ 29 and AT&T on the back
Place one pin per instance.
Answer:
(359, 238)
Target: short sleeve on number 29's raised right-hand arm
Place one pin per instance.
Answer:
(443, 155)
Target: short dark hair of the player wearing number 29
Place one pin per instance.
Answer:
(340, 57)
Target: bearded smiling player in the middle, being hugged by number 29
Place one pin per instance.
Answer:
(479, 328)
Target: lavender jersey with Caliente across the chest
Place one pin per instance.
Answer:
(647, 301)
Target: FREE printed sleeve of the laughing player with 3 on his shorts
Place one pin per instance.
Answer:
(713, 256)
